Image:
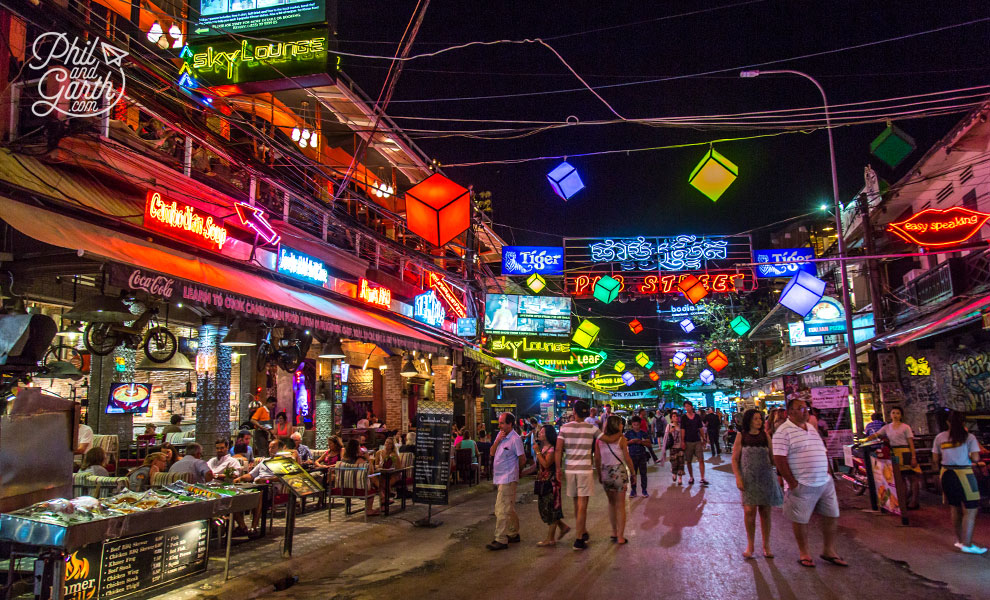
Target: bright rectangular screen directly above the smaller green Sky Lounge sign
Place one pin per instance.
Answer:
(521, 315)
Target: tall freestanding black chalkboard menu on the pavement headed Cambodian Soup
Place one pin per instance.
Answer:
(432, 467)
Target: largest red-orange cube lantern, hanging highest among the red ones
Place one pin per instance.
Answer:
(438, 210)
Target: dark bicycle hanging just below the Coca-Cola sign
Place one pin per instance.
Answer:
(159, 343)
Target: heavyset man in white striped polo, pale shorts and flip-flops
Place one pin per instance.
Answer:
(801, 459)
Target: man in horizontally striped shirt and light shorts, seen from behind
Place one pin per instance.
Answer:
(575, 444)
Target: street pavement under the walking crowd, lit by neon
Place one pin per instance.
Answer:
(684, 542)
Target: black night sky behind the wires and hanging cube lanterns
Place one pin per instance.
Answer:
(647, 192)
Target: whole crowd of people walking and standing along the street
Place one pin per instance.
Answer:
(778, 459)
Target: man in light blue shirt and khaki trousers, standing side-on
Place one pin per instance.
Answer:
(508, 458)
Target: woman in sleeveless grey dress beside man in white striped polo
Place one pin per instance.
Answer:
(752, 463)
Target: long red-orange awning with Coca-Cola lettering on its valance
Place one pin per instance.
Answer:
(211, 284)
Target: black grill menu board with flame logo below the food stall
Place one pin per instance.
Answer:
(119, 568)
